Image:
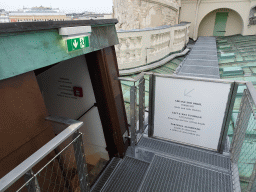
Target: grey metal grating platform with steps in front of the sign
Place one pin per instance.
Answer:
(159, 165)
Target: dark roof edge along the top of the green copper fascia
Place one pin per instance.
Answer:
(37, 26)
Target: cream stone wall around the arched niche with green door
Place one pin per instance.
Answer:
(206, 7)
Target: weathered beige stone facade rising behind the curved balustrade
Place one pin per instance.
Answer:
(140, 14)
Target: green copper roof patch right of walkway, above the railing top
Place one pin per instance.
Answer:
(242, 65)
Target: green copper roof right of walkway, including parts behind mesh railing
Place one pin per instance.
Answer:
(237, 61)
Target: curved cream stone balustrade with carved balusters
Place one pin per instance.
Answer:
(143, 46)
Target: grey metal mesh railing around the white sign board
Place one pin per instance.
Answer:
(243, 137)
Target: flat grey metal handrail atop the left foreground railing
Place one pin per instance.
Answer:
(36, 157)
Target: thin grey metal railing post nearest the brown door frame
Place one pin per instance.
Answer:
(133, 94)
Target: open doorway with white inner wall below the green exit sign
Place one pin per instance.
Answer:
(68, 92)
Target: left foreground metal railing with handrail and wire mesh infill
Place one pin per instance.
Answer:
(66, 169)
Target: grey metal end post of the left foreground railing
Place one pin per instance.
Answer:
(81, 162)
